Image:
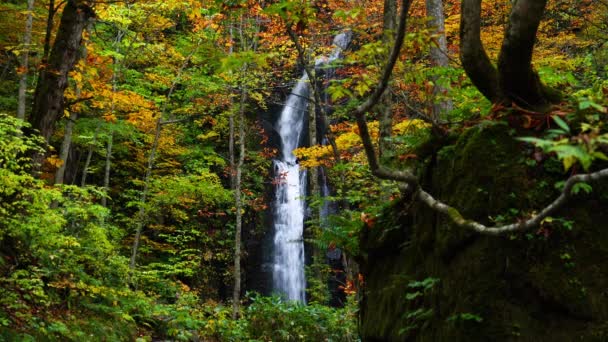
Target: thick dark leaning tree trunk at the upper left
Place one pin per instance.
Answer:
(48, 99)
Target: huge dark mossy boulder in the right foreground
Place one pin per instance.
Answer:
(548, 284)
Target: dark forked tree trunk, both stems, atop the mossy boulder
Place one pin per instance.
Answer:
(514, 82)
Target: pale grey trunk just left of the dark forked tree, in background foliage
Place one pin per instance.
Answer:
(439, 57)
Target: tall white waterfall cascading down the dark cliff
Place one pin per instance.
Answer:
(290, 207)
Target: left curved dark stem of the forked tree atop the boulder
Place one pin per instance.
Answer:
(473, 56)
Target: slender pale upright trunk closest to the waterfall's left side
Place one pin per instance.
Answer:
(236, 294)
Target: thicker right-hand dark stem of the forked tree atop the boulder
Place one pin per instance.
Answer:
(518, 82)
